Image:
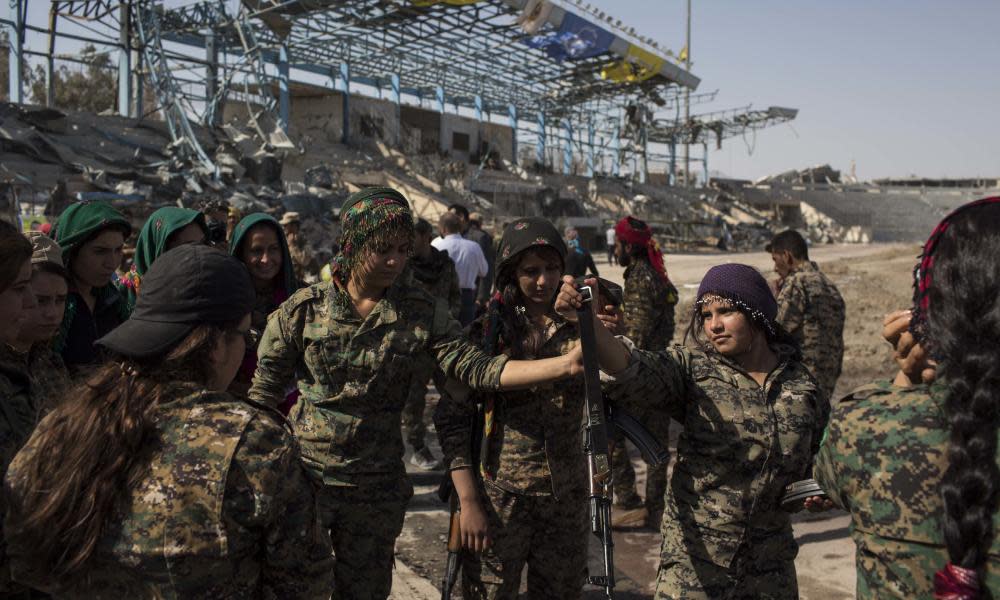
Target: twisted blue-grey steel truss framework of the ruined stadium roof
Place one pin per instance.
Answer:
(471, 55)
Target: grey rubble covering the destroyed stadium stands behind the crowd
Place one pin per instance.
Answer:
(49, 158)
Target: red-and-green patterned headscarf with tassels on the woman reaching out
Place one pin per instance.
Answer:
(370, 216)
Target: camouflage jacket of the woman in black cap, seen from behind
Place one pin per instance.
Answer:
(225, 511)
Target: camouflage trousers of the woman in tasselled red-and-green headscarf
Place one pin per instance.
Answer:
(364, 523)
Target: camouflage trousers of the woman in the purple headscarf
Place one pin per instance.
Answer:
(753, 574)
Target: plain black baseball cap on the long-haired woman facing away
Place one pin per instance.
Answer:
(187, 286)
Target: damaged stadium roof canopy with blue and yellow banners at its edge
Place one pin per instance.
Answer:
(469, 48)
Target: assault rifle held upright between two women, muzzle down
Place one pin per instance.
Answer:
(595, 442)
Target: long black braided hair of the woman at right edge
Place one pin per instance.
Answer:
(963, 333)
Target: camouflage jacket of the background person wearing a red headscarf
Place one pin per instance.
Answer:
(648, 307)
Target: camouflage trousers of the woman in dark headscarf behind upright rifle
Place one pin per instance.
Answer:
(547, 534)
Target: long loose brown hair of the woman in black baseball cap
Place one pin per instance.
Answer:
(94, 448)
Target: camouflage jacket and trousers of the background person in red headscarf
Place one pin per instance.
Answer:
(649, 322)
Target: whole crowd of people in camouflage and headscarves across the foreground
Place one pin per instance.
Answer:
(207, 424)
